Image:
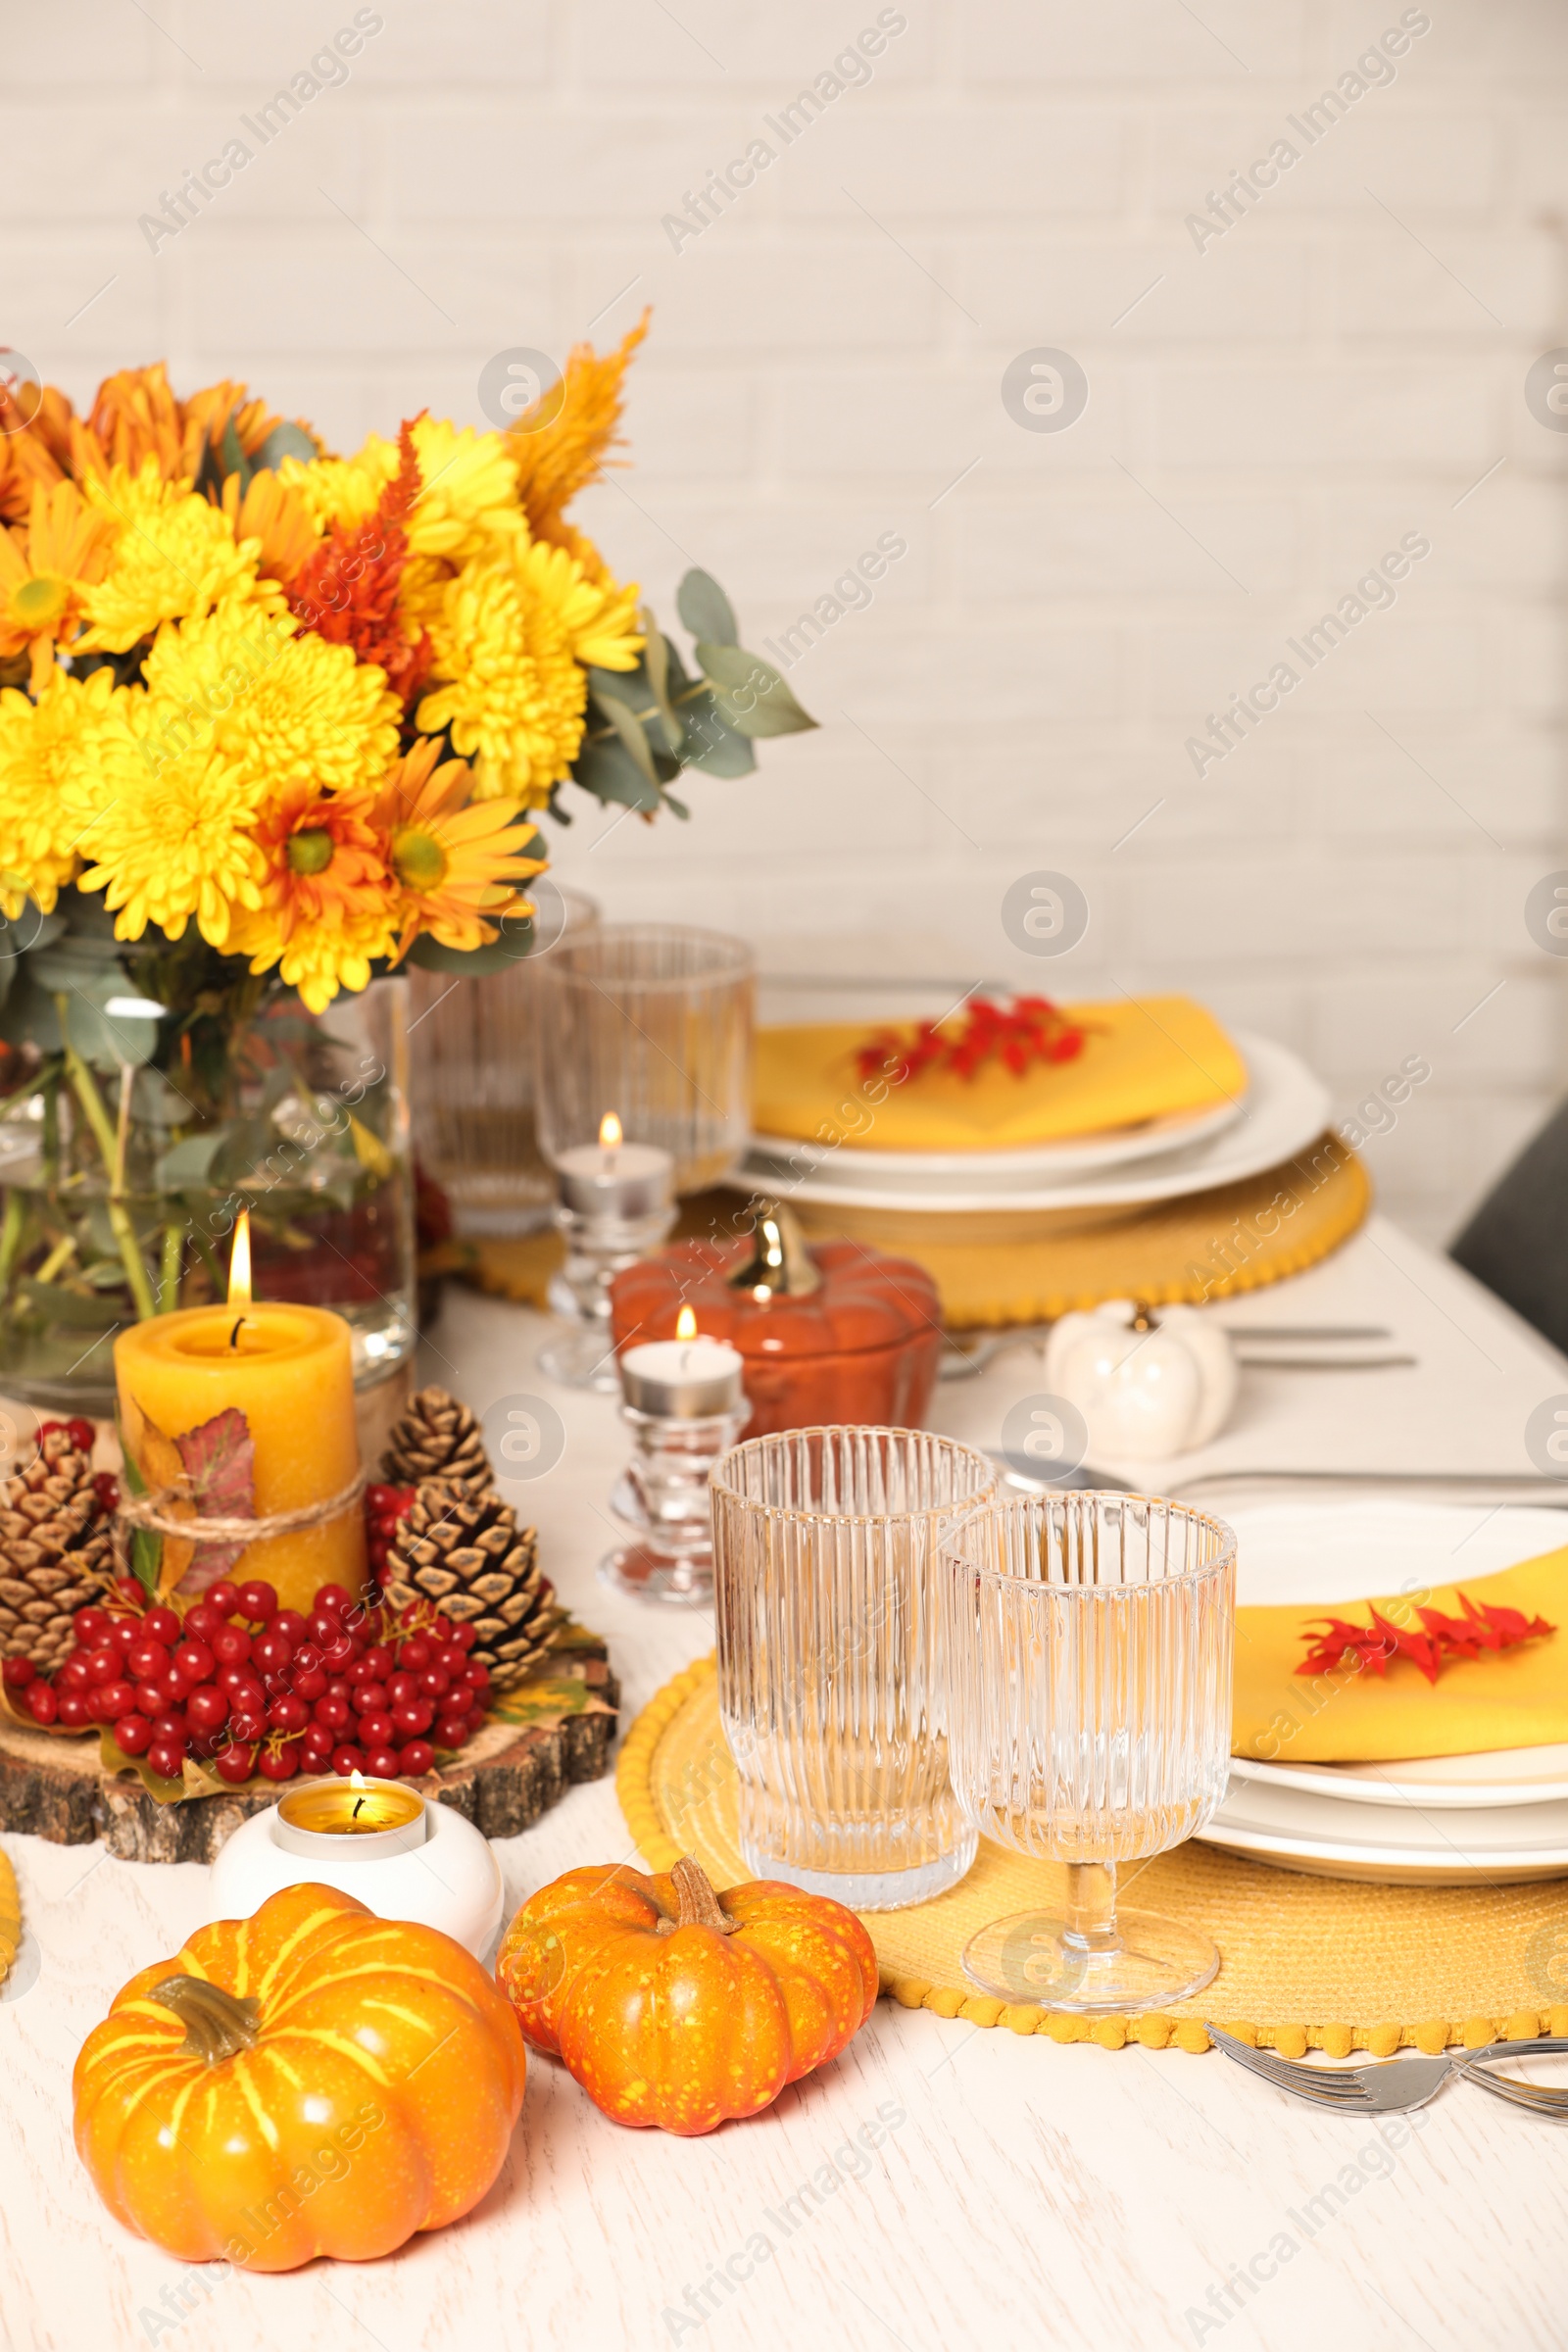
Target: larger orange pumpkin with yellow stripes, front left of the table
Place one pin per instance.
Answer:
(304, 2083)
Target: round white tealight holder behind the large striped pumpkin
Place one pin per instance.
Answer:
(429, 1864)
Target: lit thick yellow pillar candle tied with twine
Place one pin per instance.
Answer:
(290, 1372)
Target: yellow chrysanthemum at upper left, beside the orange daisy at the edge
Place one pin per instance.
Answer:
(175, 556)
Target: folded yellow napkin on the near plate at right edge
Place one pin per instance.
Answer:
(1501, 1699)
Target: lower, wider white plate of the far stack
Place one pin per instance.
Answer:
(1282, 1114)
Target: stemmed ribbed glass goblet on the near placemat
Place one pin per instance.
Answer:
(1090, 1657)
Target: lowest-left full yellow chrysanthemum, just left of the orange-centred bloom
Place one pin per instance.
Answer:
(180, 846)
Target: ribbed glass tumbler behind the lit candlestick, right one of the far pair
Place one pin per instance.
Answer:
(652, 1022)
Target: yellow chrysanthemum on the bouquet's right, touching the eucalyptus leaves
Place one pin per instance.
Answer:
(511, 643)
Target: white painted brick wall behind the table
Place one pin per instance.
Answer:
(1268, 417)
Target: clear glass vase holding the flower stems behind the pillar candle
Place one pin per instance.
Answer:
(121, 1180)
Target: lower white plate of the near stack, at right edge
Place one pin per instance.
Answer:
(1400, 1845)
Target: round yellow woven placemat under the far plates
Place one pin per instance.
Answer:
(1005, 1267)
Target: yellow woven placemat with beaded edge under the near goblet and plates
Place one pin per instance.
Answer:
(1306, 1963)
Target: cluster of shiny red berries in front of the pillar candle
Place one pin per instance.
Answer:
(250, 1688)
